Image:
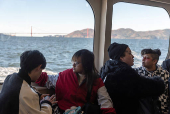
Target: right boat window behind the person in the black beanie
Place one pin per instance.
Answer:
(141, 27)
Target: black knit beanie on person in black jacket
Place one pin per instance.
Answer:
(116, 50)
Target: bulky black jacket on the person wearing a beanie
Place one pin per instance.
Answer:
(126, 87)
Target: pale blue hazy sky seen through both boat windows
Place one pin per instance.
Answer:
(66, 16)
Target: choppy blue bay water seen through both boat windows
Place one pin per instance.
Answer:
(59, 51)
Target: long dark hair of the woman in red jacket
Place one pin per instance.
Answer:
(87, 60)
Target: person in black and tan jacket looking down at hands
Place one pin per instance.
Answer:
(18, 96)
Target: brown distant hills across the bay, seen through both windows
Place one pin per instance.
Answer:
(124, 34)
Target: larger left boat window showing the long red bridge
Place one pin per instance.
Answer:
(56, 28)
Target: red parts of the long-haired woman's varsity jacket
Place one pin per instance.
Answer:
(69, 93)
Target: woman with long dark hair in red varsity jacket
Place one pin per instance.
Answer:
(72, 84)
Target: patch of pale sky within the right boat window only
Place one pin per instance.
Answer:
(139, 17)
